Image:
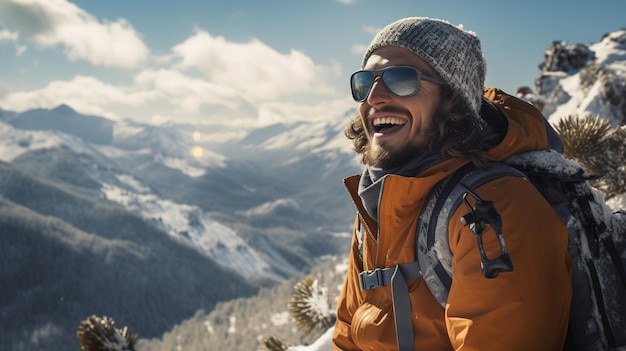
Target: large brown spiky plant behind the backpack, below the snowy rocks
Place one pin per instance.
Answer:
(600, 149)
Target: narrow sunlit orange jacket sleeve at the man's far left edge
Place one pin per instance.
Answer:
(349, 298)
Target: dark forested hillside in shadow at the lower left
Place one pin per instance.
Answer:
(66, 254)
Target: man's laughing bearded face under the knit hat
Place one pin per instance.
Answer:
(396, 126)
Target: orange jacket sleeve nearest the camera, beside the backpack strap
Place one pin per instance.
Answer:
(528, 308)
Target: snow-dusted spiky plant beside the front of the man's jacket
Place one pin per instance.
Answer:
(311, 306)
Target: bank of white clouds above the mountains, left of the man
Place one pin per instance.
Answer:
(205, 79)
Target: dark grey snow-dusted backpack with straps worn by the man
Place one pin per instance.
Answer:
(597, 246)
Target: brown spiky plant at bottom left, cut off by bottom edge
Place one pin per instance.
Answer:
(100, 334)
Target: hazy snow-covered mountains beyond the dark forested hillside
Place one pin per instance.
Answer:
(174, 175)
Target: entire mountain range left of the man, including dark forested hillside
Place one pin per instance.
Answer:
(244, 208)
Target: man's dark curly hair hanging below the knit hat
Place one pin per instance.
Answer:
(455, 132)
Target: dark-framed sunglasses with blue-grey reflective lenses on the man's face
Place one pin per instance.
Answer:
(399, 80)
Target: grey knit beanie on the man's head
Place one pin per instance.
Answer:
(453, 52)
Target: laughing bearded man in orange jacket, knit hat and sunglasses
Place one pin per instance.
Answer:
(420, 94)
